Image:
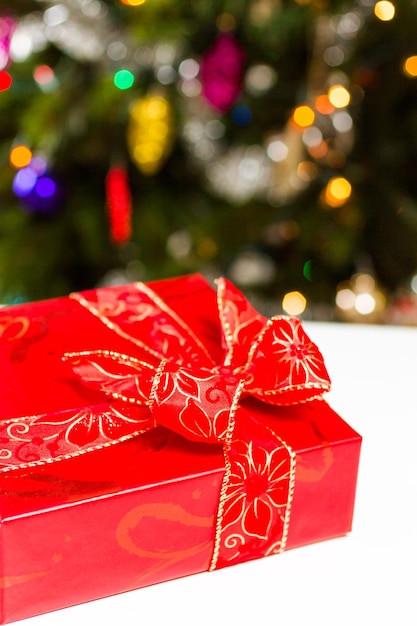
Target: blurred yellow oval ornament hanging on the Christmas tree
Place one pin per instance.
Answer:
(150, 132)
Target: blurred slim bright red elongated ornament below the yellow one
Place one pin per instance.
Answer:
(119, 204)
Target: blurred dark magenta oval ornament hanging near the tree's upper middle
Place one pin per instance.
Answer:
(221, 72)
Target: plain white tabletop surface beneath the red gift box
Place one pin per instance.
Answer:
(366, 578)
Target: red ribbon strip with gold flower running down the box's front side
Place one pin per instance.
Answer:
(256, 497)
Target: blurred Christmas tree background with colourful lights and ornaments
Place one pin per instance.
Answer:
(270, 141)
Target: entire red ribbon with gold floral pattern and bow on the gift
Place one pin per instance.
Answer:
(173, 381)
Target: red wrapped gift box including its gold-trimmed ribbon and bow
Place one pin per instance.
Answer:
(153, 431)
